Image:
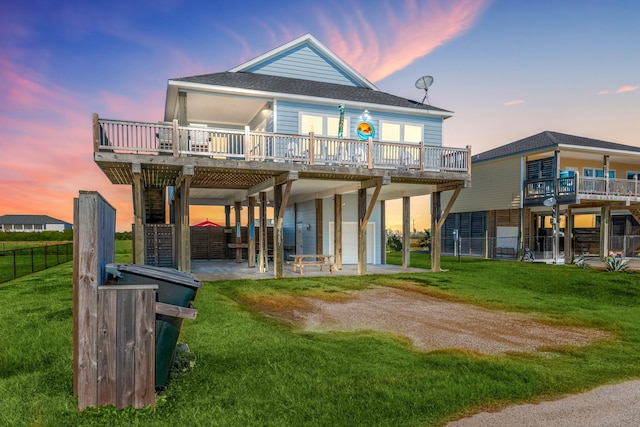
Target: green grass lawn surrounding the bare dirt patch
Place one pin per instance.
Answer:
(251, 370)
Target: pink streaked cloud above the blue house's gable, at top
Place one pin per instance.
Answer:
(409, 31)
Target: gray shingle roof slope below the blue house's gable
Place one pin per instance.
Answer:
(278, 84)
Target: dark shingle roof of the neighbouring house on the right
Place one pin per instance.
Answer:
(549, 139)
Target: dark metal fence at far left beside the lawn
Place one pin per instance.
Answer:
(20, 262)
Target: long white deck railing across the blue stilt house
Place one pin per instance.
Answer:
(243, 144)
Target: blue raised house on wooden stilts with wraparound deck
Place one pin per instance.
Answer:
(297, 130)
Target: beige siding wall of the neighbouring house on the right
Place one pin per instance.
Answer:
(495, 185)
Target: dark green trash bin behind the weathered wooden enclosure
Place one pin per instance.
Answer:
(174, 287)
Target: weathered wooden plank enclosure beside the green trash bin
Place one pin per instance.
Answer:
(113, 326)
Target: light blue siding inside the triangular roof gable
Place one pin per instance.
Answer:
(303, 62)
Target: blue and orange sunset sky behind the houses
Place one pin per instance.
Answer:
(507, 68)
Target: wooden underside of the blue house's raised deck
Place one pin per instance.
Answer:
(230, 181)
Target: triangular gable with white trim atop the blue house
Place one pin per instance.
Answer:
(308, 59)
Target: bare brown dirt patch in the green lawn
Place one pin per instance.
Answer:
(434, 323)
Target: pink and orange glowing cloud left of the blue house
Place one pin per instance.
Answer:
(45, 138)
